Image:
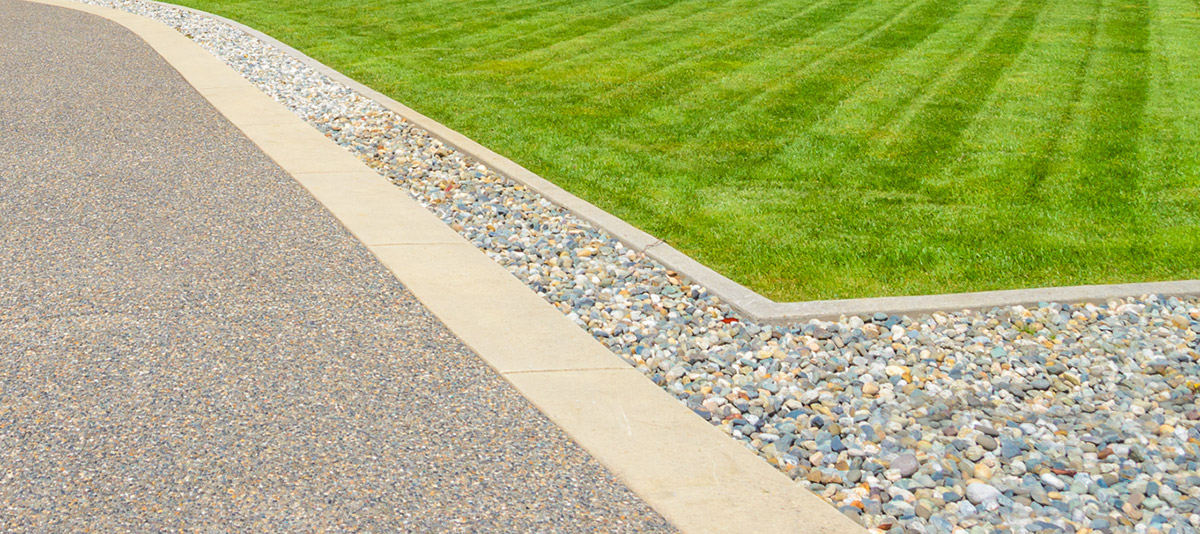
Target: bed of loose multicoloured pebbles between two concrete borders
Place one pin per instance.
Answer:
(1053, 419)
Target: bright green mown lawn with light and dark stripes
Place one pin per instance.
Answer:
(817, 149)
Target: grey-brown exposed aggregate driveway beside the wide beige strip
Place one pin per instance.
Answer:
(190, 343)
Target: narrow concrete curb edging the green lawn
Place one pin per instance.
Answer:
(747, 302)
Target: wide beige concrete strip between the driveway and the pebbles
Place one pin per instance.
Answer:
(691, 472)
